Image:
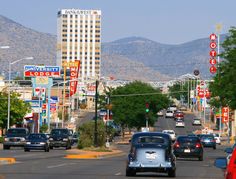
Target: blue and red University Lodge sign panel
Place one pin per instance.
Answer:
(46, 71)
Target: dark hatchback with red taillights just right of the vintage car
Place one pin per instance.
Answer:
(188, 147)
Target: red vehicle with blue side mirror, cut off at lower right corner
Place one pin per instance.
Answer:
(230, 172)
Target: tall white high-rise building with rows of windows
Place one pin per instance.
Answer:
(79, 38)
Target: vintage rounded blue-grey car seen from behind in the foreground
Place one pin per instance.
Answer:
(151, 152)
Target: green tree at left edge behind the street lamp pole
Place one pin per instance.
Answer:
(17, 111)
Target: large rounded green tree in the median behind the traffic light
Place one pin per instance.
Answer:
(128, 104)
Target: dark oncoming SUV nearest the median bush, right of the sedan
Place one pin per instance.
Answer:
(60, 138)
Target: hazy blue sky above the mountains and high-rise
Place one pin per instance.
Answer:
(164, 21)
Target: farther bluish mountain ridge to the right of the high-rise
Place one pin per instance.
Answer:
(172, 60)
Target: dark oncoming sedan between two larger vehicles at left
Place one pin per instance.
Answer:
(37, 142)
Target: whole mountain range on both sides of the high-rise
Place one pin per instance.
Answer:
(132, 58)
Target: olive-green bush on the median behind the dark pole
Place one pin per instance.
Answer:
(87, 134)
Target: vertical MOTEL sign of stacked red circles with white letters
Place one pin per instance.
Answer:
(213, 53)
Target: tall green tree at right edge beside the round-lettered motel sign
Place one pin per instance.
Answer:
(224, 85)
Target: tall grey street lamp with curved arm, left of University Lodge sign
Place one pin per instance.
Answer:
(9, 92)
